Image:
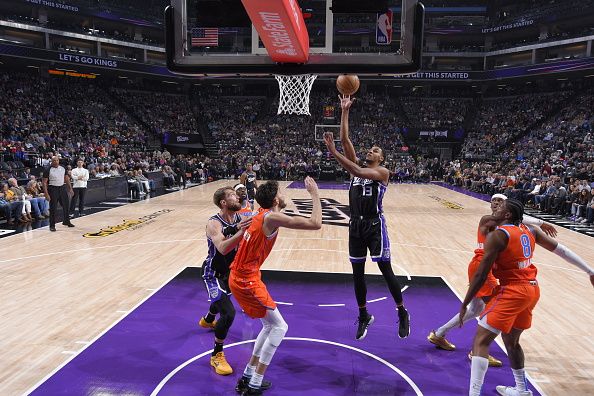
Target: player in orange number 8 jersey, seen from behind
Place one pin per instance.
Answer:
(508, 253)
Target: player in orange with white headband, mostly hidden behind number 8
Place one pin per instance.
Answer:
(477, 305)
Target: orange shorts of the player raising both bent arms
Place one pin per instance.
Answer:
(251, 294)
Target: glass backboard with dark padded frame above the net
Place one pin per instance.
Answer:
(363, 37)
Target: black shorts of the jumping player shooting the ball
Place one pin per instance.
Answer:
(368, 234)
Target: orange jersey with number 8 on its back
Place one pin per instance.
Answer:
(514, 264)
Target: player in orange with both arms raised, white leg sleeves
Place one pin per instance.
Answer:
(246, 283)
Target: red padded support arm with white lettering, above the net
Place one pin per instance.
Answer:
(281, 27)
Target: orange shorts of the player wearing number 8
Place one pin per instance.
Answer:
(511, 307)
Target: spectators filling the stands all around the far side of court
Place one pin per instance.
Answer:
(537, 147)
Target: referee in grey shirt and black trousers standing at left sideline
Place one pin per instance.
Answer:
(55, 181)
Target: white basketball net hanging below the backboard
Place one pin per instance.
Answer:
(294, 93)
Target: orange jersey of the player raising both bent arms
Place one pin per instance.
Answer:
(254, 248)
